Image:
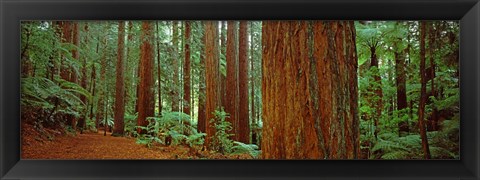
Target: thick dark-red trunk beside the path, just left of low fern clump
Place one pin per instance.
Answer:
(146, 103)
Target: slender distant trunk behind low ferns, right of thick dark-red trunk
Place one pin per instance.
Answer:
(186, 70)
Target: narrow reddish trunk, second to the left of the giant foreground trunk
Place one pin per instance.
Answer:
(231, 106)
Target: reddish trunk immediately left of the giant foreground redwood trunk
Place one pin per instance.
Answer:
(243, 119)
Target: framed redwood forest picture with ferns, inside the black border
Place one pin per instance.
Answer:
(323, 90)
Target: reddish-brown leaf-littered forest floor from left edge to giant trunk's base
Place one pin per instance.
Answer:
(54, 144)
